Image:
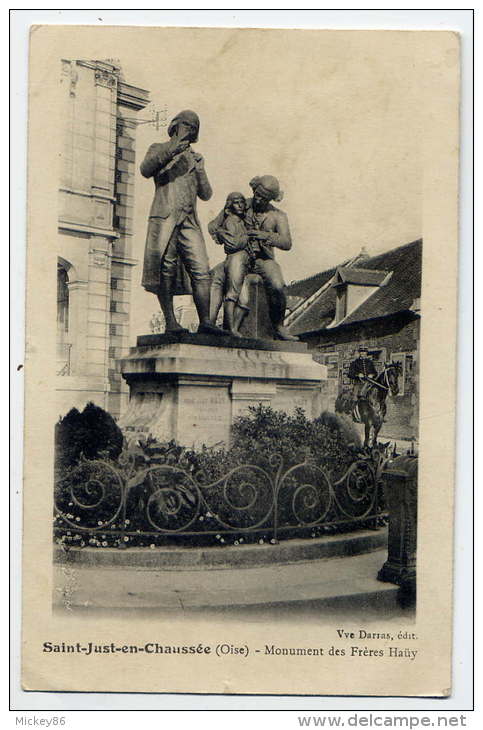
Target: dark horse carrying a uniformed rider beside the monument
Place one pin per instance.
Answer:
(370, 409)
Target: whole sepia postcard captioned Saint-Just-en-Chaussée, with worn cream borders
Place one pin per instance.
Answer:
(240, 361)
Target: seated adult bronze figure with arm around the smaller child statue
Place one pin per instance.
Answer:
(267, 228)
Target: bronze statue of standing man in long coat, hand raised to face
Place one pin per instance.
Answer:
(175, 257)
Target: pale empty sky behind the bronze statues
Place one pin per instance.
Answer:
(334, 120)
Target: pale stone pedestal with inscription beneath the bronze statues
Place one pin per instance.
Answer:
(191, 387)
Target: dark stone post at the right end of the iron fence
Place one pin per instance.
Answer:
(400, 481)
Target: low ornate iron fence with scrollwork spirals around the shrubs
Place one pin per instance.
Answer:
(116, 503)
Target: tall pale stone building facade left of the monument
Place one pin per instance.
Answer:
(96, 197)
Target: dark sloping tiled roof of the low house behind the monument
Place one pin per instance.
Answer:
(403, 287)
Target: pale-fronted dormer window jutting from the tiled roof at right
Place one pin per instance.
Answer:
(354, 286)
